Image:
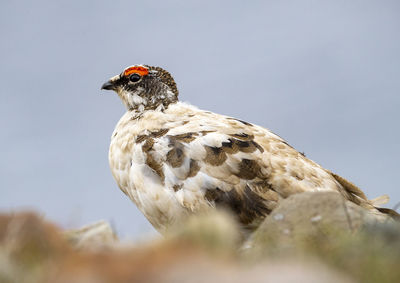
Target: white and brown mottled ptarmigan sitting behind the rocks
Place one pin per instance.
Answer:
(174, 160)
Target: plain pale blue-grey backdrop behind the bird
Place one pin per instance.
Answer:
(324, 75)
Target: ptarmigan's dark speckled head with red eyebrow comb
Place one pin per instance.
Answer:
(143, 87)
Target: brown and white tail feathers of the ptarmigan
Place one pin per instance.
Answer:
(356, 195)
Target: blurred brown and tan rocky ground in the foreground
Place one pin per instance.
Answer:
(308, 238)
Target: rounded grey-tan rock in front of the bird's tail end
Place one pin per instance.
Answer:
(312, 214)
